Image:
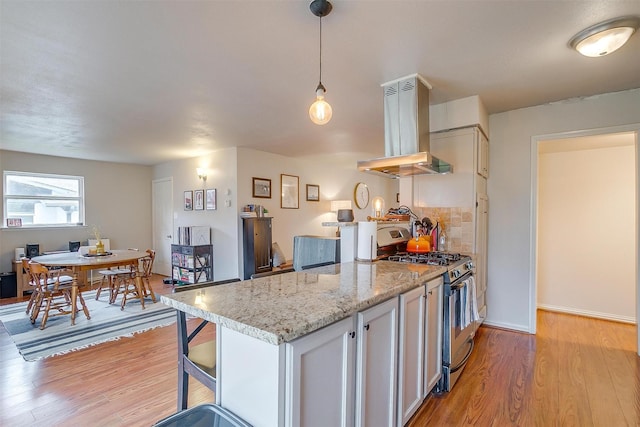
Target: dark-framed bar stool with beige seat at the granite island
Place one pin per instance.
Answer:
(198, 361)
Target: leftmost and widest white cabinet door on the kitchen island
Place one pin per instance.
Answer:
(320, 377)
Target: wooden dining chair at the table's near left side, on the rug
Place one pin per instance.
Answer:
(53, 293)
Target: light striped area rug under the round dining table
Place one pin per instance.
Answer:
(107, 323)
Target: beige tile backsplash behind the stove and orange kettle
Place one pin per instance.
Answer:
(457, 224)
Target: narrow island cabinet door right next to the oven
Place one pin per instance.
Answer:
(433, 336)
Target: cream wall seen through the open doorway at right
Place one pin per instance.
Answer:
(586, 225)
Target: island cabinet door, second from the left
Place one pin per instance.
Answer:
(376, 365)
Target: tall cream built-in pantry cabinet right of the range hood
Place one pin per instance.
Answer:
(467, 149)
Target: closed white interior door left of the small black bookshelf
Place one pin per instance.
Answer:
(162, 218)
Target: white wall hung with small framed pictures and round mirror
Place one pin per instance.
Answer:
(234, 168)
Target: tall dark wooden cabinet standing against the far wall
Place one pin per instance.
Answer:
(256, 239)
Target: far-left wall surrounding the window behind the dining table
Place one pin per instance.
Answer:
(117, 200)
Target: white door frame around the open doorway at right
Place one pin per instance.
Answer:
(535, 141)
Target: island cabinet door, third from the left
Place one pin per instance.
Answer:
(411, 355)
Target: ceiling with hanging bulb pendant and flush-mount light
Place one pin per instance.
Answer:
(146, 82)
